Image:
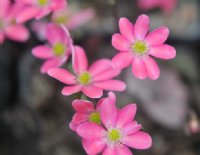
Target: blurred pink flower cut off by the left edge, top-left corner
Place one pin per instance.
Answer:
(8, 26)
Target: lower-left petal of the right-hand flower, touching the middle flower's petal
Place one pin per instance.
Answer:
(122, 60)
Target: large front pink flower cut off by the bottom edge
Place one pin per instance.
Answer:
(117, 133)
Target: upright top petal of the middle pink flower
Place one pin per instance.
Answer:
(79, 60)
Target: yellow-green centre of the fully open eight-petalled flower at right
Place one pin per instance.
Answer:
(139, 47)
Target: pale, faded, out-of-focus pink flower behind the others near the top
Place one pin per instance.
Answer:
(73, 19)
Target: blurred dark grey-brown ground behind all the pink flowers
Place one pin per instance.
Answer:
(34, 116)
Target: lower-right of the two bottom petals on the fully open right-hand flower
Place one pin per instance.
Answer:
(152, 69)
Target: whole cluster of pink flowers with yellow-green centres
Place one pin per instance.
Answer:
(105, 128)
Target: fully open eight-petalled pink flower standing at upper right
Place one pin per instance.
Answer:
(136, 46)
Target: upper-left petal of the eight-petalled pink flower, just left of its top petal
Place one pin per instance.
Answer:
(126, 29)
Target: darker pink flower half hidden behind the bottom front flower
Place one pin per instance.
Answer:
(86, 112)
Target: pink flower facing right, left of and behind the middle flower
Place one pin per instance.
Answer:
(58, 51)
